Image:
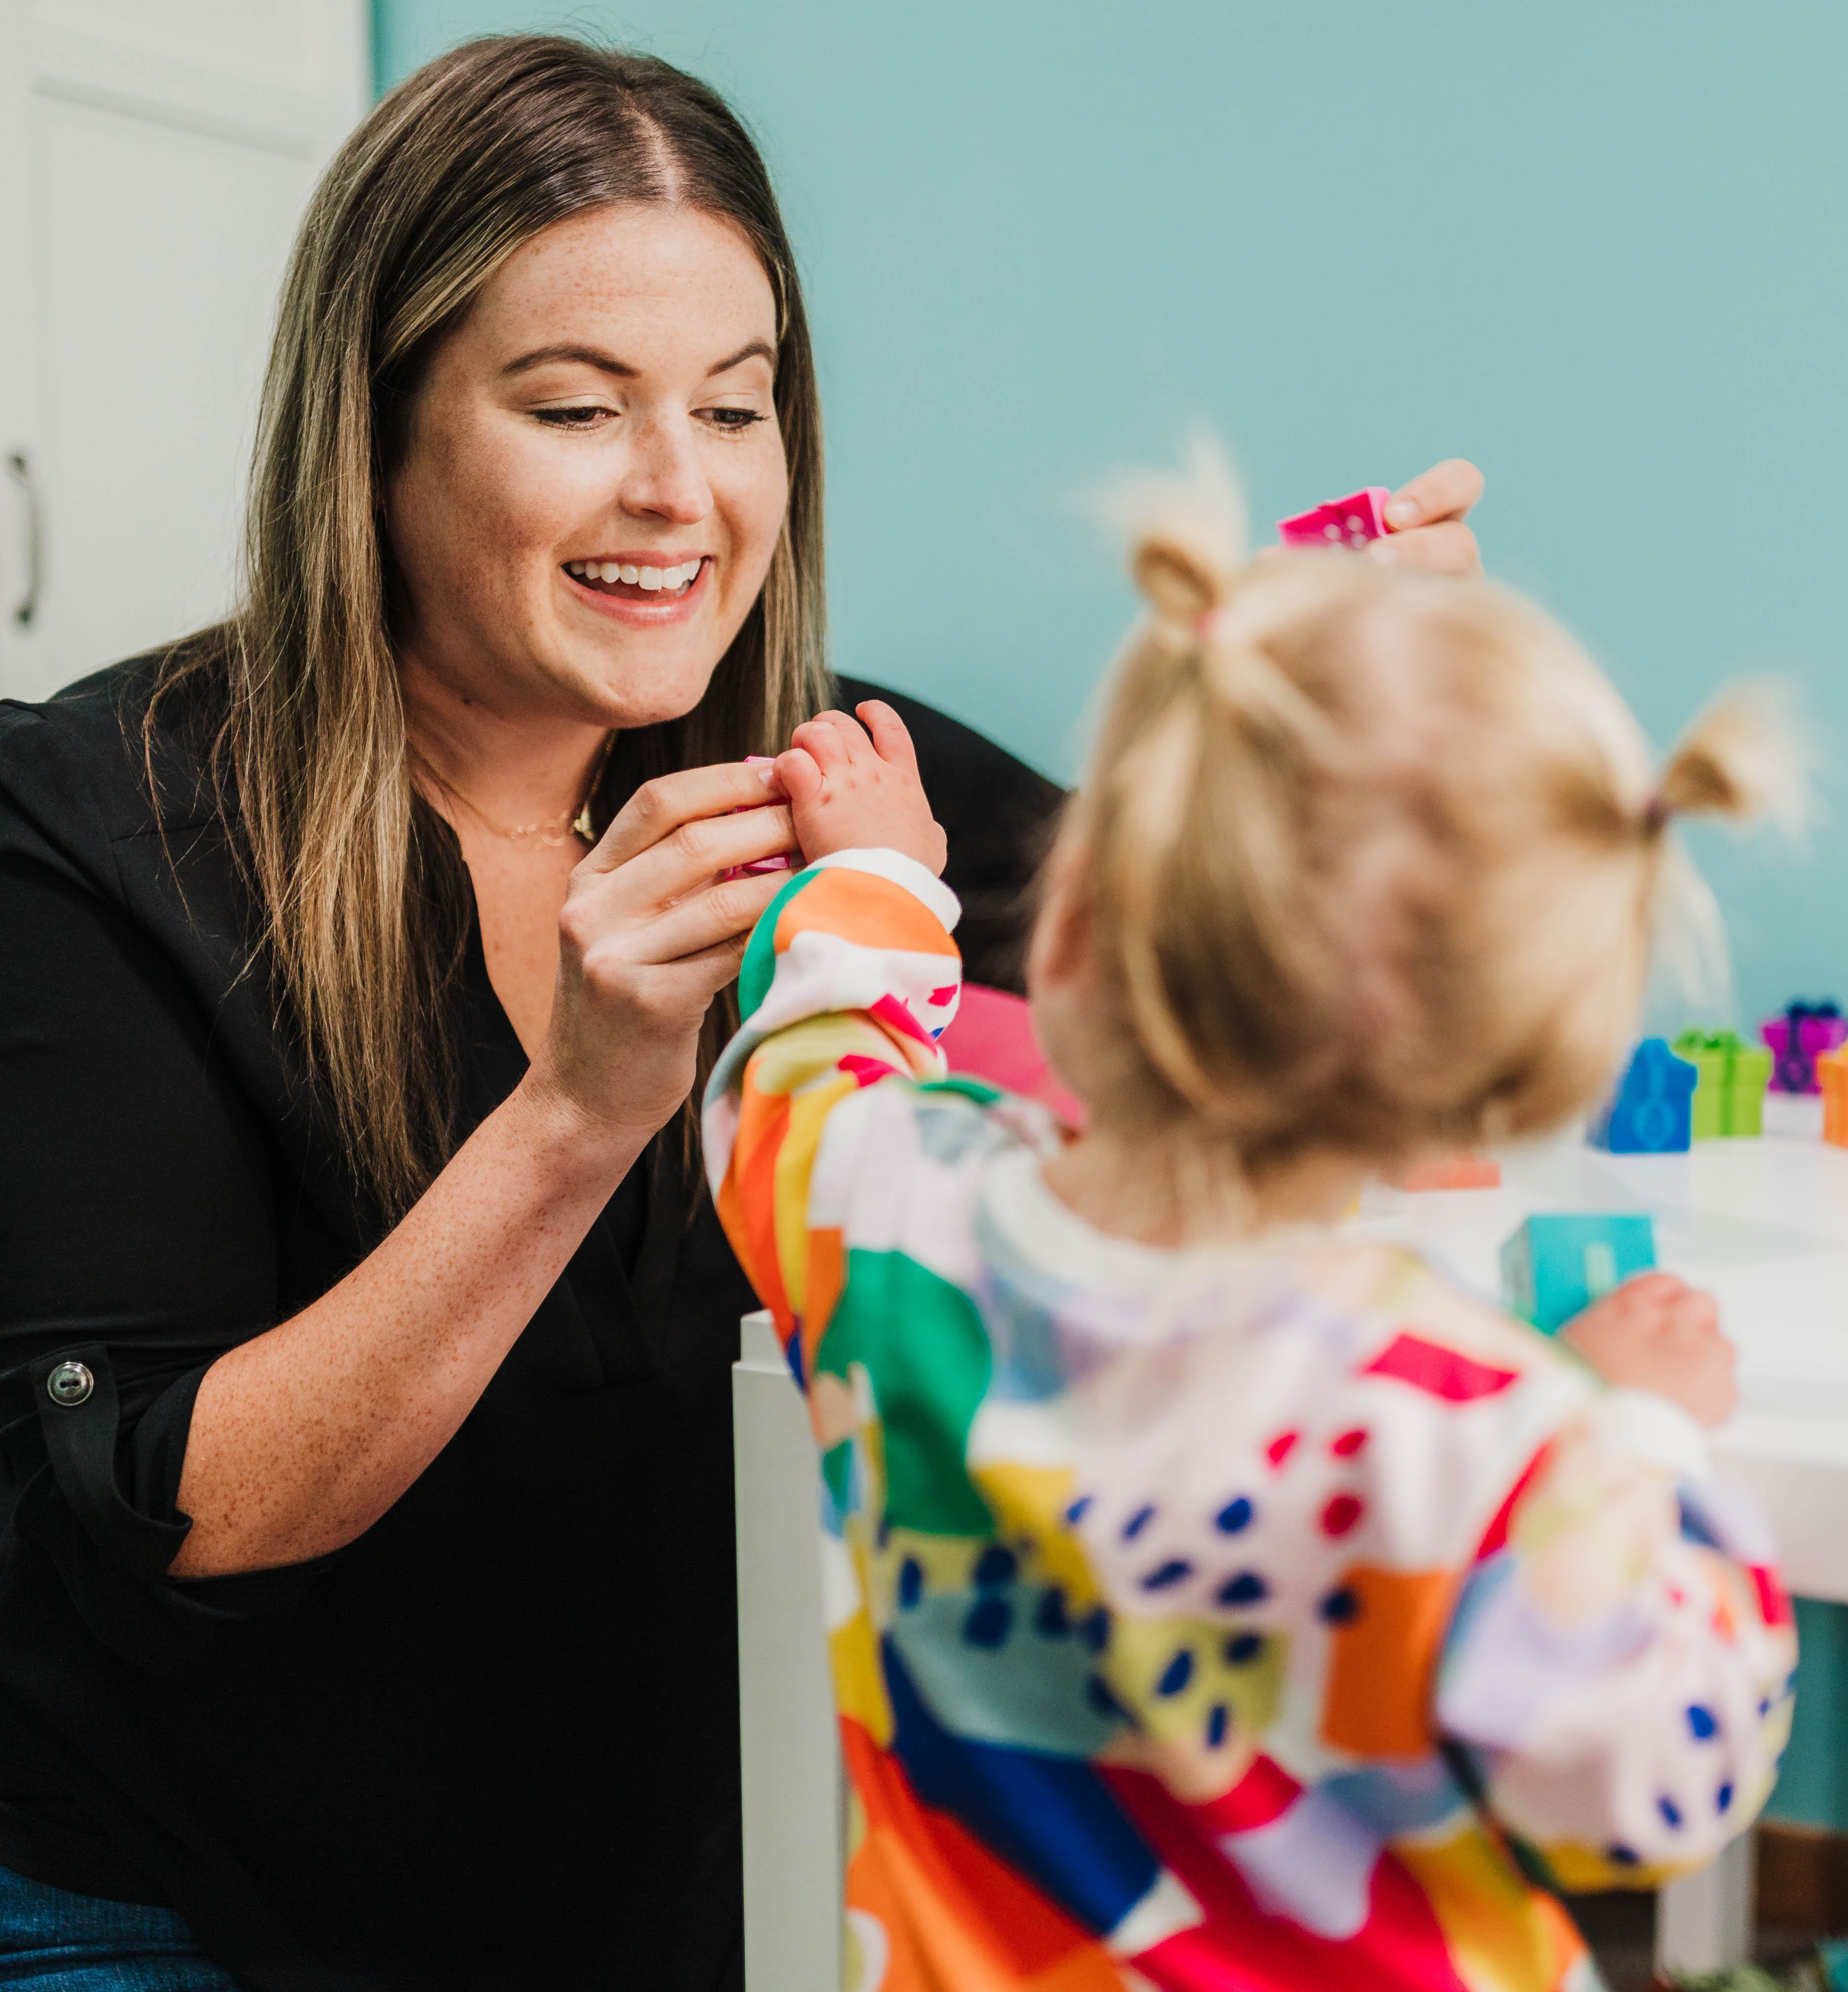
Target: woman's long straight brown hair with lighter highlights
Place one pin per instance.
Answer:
(357, 881)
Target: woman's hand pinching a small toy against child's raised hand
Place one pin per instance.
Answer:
(648, 937)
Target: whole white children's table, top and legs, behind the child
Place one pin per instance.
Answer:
(1761, 1224)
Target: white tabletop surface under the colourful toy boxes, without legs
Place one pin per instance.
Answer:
(1765, 1228)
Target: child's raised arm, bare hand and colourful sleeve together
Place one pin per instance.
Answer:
(849, 979)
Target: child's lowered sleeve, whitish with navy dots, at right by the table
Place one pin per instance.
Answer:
(1620, 1662)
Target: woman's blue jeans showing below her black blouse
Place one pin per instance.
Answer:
(79, 1943)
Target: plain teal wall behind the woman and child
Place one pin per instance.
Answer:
(1596, 248)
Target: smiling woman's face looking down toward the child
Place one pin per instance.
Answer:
(594, 483)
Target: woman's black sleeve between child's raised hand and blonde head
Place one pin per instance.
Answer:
(999, 816)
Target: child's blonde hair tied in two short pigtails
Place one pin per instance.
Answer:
(1373, 860)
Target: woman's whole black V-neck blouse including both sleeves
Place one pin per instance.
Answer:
(495, 1740)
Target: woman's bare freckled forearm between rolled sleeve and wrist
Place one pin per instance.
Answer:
(304, 1437)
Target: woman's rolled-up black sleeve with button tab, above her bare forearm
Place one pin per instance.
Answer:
(136, 1220)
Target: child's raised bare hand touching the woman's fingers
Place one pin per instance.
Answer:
(853, 794)
